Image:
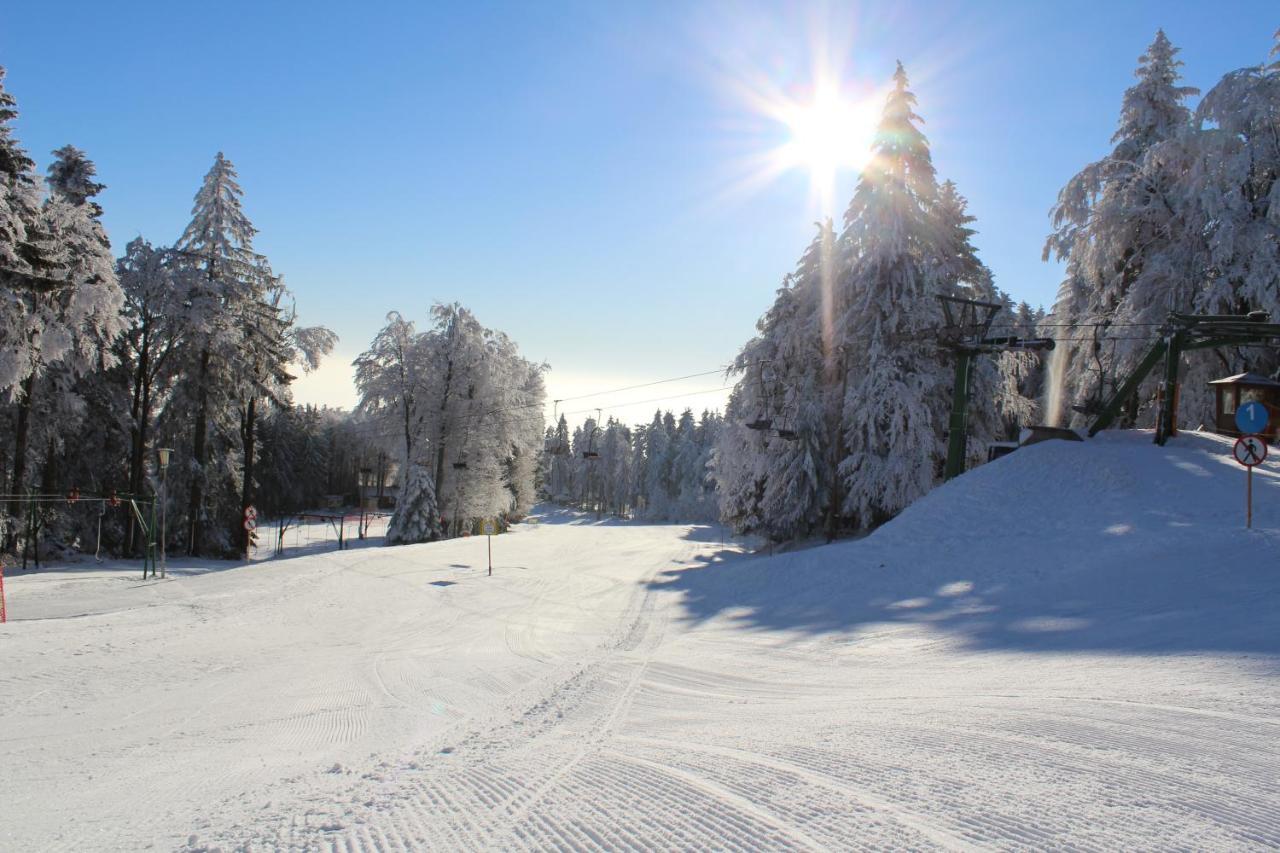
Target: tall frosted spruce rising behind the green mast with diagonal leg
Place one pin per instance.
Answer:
(1114, 225)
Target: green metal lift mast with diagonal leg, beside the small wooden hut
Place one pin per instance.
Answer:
(1182, 334)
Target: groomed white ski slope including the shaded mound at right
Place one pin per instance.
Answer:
(1077, 646)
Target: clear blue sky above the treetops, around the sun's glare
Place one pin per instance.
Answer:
(573, 172)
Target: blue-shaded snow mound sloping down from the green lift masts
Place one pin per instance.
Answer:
(1109, 545)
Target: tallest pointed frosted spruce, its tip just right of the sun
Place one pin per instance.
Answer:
(899, 393)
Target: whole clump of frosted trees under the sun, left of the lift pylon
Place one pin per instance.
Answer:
(847, 359)
